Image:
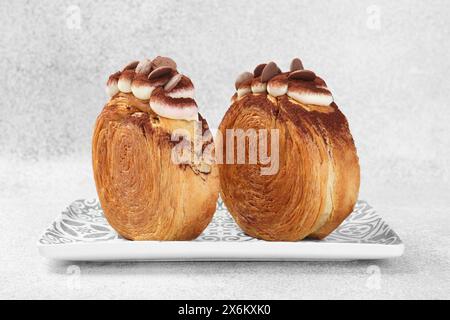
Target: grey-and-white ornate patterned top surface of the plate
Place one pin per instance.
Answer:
(83, 221)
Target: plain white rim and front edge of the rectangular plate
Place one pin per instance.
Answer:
(293, 250)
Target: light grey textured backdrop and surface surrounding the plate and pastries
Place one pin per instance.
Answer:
(392, 82)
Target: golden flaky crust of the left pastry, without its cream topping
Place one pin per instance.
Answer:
(144, 195)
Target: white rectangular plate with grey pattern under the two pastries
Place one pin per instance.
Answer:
(81, 232)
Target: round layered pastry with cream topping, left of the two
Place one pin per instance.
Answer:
(153, 155)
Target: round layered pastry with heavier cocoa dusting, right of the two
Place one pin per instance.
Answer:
(311, 183)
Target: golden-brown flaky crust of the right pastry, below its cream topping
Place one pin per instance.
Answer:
(317, 184)
